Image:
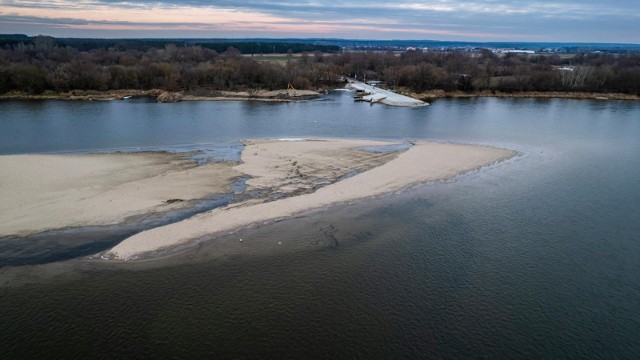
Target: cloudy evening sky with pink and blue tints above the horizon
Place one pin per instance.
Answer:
(467, 20)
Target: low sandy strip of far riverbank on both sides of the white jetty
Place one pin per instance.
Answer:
(293, 95)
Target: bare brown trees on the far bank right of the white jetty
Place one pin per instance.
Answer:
(485, 70)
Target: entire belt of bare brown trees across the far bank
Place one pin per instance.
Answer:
(45, 65)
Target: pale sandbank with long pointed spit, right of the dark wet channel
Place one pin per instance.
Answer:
(422, 163)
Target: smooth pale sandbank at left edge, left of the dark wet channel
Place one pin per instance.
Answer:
(42, 192)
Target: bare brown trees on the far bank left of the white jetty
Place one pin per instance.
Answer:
(35, 68)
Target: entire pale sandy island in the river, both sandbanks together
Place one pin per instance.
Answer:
(43, 192)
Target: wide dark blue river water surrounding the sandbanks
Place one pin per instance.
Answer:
(537, 257)
